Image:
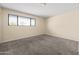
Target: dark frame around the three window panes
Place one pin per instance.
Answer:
(18, 20)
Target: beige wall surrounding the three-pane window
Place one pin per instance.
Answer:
(17, 32)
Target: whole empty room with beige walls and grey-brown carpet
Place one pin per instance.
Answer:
(39, 28)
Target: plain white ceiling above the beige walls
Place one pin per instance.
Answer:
(51, 9)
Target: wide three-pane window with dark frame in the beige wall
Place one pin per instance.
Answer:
(21, 20)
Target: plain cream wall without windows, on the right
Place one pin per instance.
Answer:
(65, 26)
